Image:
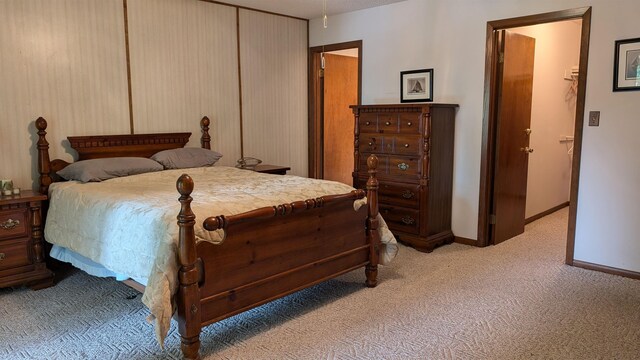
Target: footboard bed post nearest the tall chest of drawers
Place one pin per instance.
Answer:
(373, 237)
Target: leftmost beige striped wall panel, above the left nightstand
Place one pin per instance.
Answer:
(63, 60)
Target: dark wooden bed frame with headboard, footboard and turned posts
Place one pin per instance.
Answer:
(266, 253)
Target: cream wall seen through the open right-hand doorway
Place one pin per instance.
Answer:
(552, 113)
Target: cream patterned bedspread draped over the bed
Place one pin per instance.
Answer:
(128, 224)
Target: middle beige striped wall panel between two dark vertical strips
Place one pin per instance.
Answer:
(184, 65)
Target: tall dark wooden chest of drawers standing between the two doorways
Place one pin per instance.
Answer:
(414, 145)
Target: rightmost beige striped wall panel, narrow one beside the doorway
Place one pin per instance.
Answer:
(273, 59)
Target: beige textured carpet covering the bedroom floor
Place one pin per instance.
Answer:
(512, 301)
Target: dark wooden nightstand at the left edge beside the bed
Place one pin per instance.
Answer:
(21, 248)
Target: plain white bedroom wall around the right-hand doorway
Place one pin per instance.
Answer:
(449, 36)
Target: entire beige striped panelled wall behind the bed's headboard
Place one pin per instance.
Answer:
(66, 60)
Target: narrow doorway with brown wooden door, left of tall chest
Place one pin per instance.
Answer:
(334, 84)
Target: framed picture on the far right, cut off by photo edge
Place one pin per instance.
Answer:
(626, 65)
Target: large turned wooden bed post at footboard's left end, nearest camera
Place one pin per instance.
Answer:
(188, 291)
